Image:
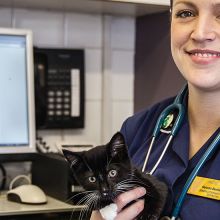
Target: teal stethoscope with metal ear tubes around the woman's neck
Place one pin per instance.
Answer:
(165, 124)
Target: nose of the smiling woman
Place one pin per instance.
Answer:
(203, 29)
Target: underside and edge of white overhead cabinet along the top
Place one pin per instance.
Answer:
(121, 7)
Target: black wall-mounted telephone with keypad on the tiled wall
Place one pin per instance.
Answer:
(59, 88)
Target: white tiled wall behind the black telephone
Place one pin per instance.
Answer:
(109, 47)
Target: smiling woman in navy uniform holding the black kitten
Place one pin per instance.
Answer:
(195, 45)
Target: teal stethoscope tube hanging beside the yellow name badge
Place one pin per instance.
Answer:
(209, 152)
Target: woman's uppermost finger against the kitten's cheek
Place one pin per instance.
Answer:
(126, 197)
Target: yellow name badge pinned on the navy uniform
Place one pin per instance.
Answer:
(205, 187)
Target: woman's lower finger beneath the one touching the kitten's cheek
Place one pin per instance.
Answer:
(131, 212)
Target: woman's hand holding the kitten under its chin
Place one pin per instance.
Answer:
(121, 201)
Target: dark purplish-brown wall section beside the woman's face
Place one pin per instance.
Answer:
(156, 76)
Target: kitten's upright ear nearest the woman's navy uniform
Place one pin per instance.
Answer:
(117, 146)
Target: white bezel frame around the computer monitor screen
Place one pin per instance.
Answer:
(31, 147)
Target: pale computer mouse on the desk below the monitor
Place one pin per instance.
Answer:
(27, 194)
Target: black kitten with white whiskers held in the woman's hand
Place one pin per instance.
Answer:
(106, 171)
